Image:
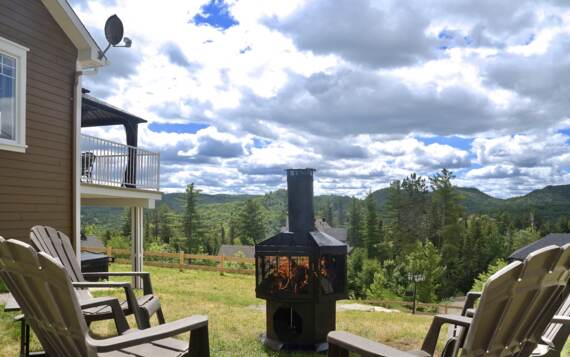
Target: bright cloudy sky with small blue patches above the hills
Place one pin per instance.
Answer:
(364, 91)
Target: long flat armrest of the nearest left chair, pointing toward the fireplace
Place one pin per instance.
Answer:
(138, 337)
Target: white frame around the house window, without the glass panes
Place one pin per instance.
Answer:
(18, 52)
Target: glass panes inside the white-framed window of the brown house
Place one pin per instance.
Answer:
(7, 97)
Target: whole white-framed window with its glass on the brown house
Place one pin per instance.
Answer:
(12, 96)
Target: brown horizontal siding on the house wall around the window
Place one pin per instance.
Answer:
(37, 187)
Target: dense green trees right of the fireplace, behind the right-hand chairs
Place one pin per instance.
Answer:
(424, 233)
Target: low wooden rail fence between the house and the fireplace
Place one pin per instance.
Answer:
(182, 260)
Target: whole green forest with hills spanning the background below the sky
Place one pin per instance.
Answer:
(418, 226)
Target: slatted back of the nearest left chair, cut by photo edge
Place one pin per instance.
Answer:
(42, 287)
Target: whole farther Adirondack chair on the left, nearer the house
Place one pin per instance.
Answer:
(58, 245)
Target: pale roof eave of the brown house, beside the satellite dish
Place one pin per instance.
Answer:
(87, 48)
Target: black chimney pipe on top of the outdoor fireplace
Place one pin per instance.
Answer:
(300, 200)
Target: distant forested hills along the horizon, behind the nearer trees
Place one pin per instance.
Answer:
(550, 202)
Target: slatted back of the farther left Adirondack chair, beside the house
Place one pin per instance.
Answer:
(58, 245)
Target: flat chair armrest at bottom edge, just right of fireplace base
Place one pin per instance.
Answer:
(340, 343)
